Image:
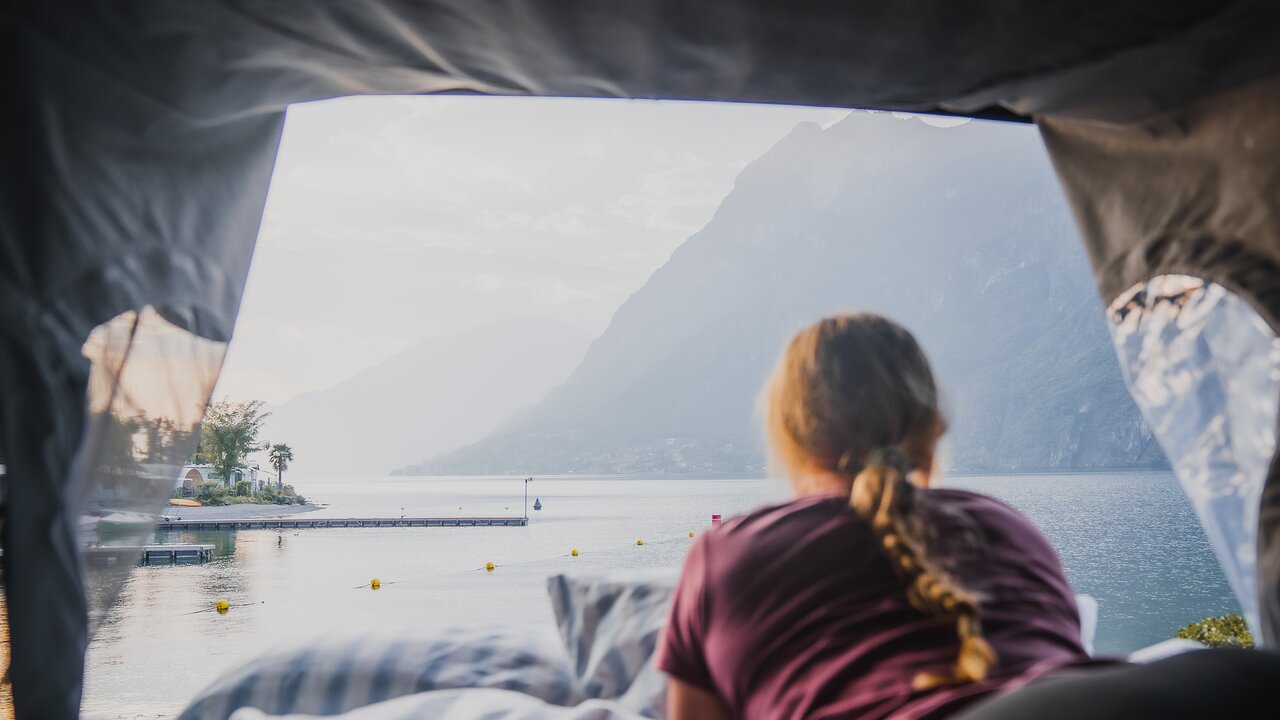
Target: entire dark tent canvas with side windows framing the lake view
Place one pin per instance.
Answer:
(138, 142)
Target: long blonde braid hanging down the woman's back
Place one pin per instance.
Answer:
(884, 496)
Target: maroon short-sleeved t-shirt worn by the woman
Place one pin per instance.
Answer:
(792, 612)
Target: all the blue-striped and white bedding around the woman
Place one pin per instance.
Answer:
(597, 664)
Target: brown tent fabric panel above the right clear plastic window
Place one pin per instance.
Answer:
(1192, 192)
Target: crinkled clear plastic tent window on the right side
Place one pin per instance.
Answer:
(1201, 364)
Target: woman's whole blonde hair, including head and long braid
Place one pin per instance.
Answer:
(854, 395)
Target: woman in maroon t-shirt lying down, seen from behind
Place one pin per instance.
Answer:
(870, 595)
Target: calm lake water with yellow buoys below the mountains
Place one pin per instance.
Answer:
(1131, 541)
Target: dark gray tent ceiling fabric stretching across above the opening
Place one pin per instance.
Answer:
(218, 60)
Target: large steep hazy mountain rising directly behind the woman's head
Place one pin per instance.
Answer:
(961, 234)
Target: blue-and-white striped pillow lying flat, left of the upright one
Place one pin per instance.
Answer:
(333, 677)
